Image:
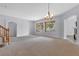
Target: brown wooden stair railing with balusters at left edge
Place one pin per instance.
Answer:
(4, 33)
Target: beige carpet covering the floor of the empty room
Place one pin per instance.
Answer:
(41, 46)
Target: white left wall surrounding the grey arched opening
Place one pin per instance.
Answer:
(23, 26)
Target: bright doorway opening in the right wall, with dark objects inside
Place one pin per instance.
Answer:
(70, 24)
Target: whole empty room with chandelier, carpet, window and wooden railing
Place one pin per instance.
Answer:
(39, 29)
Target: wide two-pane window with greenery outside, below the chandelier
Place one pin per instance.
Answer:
(46, 26)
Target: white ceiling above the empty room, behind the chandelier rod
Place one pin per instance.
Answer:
(34, 11)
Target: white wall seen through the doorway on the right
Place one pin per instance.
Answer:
(69, 25)
